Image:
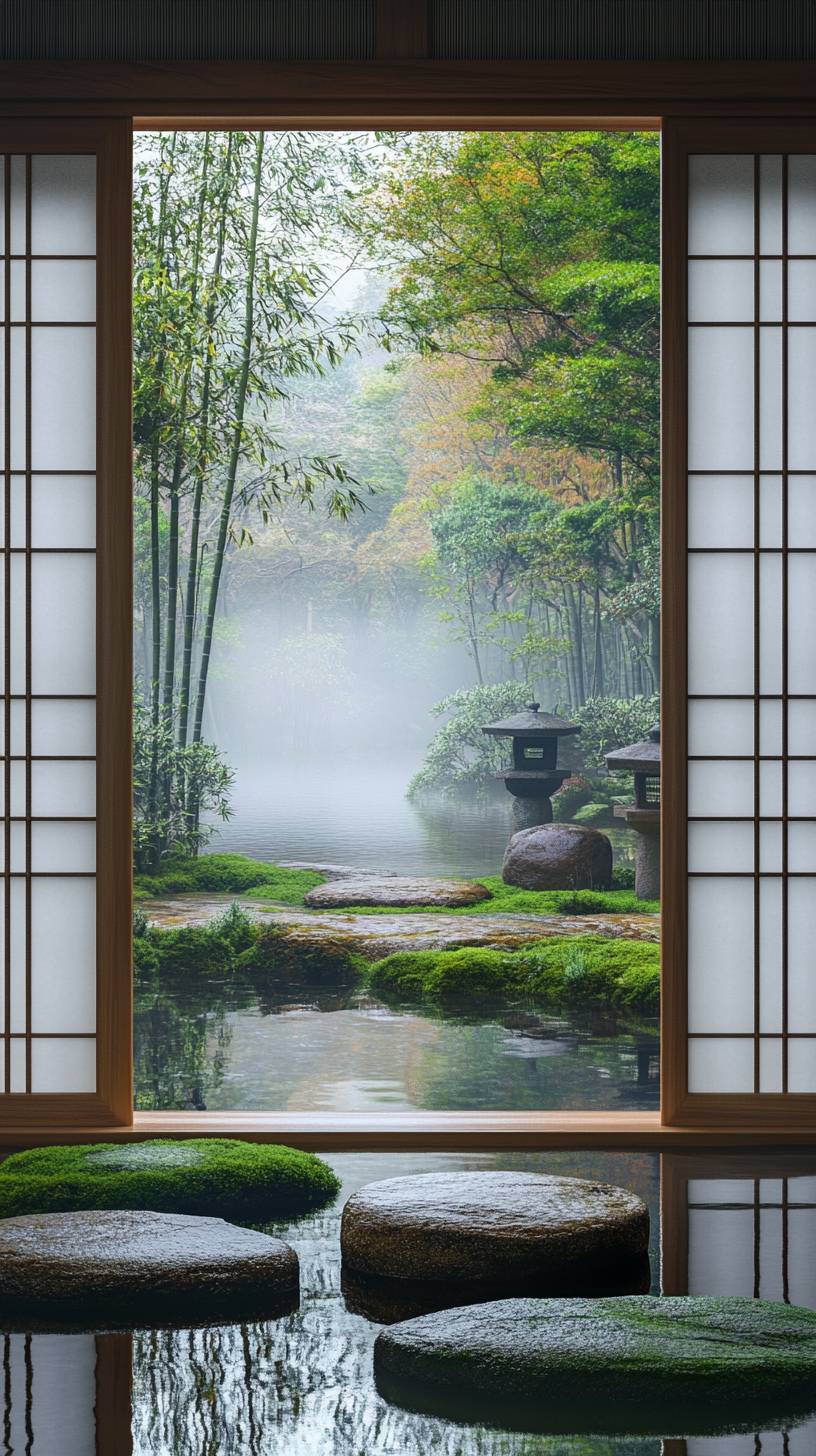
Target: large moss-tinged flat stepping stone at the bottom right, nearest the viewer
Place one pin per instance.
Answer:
(639, 1365)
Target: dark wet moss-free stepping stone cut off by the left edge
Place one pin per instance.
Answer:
(141, 1266)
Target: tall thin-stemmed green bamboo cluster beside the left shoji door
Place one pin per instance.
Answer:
(229, 235)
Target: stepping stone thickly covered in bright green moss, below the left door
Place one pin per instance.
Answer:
(216, 1176)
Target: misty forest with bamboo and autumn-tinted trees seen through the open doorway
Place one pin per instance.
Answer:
(397, 455)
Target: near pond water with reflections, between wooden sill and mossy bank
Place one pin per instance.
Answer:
(206, 1043)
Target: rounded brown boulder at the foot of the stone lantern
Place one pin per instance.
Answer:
(559, 857)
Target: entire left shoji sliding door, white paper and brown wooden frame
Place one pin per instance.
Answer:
(65, 602)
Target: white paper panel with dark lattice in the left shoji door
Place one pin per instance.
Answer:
(49, 612)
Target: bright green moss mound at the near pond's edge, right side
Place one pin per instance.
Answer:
(565, 970)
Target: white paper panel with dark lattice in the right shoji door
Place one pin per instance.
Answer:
(751, 624)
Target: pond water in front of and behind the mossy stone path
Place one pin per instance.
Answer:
(208, 1043)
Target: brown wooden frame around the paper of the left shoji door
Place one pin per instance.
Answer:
(111, 1104)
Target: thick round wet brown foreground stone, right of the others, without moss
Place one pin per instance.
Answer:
(490, 1228)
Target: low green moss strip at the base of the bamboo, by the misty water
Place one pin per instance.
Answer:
(229, 874)
